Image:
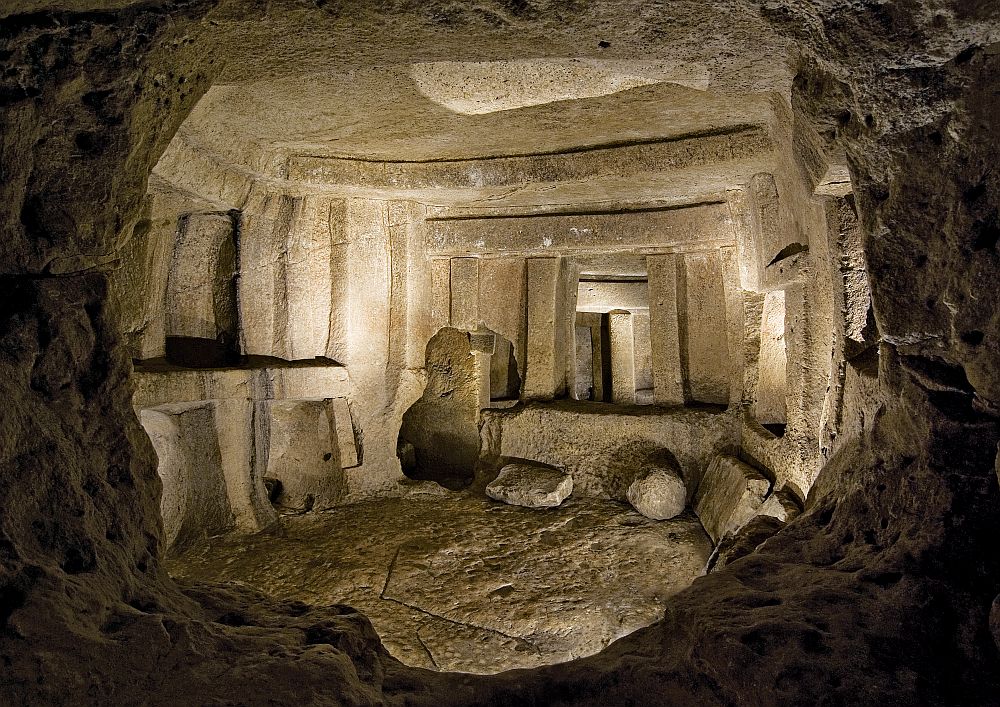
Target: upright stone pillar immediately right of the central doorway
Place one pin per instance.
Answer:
(668, 381)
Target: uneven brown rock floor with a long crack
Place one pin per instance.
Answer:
(462, 583)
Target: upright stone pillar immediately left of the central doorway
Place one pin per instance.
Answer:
(544, 364)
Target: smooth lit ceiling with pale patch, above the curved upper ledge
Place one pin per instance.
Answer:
(385, 114)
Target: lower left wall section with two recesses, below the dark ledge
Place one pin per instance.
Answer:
(239, 426)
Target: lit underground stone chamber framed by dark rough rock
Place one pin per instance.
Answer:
(324, 339)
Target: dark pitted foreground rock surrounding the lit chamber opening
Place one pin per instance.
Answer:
(879, 593)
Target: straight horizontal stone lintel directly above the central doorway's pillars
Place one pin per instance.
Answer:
(672, 229)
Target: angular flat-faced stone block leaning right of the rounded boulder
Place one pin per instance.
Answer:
(729, 495)
